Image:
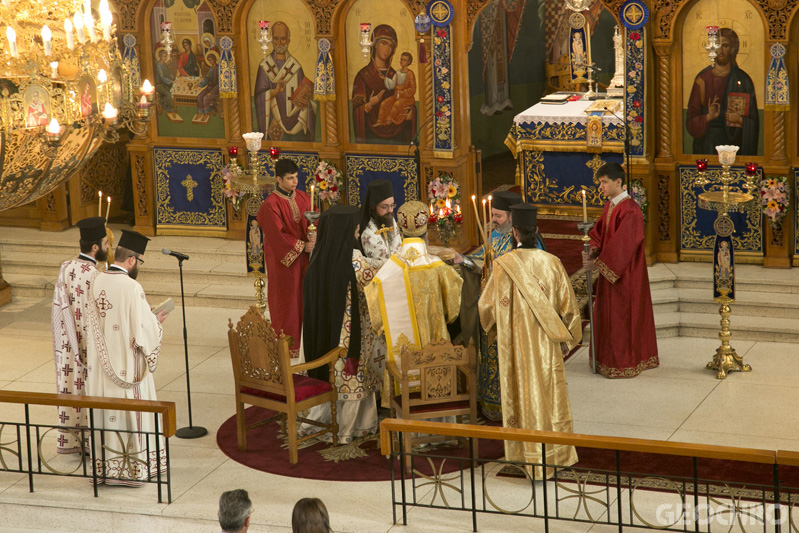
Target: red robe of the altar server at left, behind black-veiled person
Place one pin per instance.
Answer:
(282, 219)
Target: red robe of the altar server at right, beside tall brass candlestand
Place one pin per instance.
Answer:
(624, 337)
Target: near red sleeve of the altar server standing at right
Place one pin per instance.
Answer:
(620, 245)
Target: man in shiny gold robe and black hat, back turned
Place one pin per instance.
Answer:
(529, 304)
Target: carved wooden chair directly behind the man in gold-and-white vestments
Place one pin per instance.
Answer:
(447, 377)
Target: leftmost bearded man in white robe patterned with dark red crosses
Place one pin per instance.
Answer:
(68, 316)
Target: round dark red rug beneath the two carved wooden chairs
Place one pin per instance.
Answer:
(265, 453)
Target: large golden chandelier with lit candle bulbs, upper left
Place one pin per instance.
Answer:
(62, 77)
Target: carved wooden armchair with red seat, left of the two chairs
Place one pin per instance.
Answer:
(265, 378)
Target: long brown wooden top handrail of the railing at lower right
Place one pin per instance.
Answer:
(587, 441)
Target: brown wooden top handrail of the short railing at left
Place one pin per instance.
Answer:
(96, 402)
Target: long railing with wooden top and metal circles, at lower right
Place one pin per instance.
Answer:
(773, 501)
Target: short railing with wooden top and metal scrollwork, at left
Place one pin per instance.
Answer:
(165, 428)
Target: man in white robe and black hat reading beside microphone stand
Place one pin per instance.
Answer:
(121, 362)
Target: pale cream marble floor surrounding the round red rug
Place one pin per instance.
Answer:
(680, 401)
